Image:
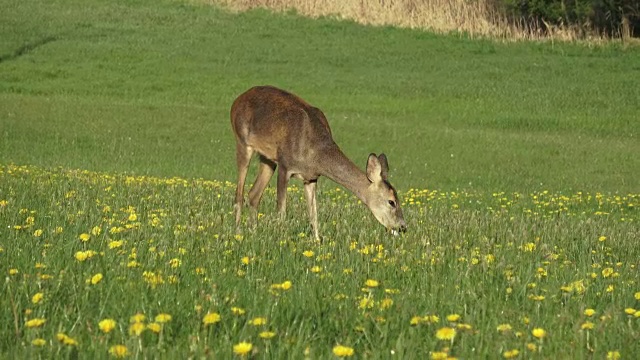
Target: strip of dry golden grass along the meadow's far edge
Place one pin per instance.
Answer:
(475, 18)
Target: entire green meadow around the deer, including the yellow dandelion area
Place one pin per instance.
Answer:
(517, 165)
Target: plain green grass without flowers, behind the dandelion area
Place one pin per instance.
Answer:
(148, 86)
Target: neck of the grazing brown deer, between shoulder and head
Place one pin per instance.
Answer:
(335, 165)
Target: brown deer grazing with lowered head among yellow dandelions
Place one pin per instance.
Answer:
(294, 136)
